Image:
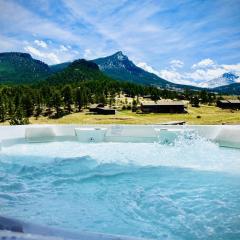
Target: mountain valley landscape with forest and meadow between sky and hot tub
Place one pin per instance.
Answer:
(33, 92)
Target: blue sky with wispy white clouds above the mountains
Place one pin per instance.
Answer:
(185, 41)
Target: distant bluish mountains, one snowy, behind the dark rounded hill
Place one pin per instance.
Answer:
(21, 68)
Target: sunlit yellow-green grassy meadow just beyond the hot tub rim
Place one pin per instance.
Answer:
(203, 115)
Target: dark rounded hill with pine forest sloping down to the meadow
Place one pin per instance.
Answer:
(67, 91)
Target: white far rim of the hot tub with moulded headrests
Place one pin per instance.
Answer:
(224, 135)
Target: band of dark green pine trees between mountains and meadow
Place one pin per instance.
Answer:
(19, 103)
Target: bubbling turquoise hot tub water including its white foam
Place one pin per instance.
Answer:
(187, 191)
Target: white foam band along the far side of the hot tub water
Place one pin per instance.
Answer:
(196, 153)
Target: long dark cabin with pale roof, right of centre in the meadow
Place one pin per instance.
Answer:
(163, 107)
